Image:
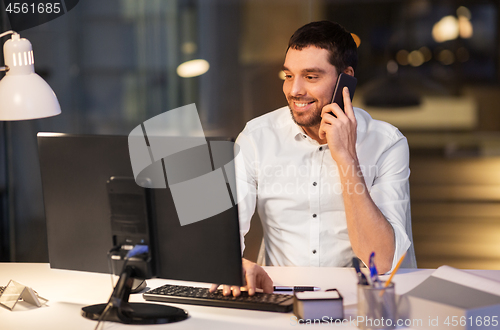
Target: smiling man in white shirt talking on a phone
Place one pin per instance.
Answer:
(328, 185)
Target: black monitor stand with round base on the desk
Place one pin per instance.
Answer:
(118, 309)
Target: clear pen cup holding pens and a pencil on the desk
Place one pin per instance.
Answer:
(376, 307)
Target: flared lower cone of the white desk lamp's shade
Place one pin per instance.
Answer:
(26, 97)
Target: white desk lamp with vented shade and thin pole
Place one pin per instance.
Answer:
(23, 95)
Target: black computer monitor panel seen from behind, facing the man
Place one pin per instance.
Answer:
(92, 204)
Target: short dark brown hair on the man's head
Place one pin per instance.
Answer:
(330, 36)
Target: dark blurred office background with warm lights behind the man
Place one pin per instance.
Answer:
(429, 67)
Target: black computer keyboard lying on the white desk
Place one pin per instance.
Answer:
(180, 294)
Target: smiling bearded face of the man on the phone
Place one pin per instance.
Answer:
(309, 83)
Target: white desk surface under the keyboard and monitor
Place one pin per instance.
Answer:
(69, 291)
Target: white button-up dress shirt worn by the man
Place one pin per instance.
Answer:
(295, 184)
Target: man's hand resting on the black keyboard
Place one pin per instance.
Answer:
(256, 278)
